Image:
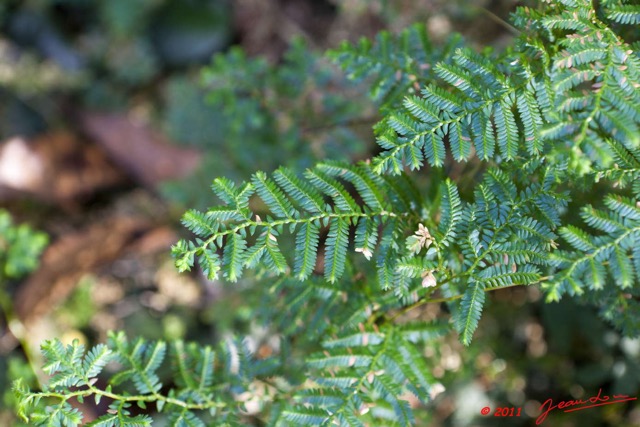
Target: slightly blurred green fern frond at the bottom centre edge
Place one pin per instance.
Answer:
(369, 368)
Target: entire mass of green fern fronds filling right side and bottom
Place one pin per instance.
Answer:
(357, 246)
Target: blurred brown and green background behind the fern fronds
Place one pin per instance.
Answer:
(240, 86)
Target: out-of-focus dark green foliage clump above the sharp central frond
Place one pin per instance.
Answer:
(255, 115)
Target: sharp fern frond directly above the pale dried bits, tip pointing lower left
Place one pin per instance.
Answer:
(478, 110)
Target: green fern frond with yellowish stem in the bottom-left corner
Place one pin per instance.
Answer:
(205, 381)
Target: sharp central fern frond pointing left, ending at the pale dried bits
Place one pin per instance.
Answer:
(297, 206)
